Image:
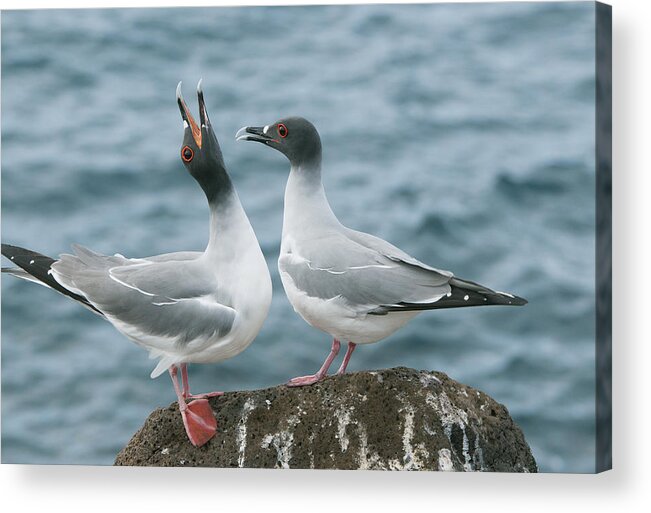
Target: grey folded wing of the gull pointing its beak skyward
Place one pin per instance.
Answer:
(172, 302)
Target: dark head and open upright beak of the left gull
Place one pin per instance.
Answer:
(200, 151)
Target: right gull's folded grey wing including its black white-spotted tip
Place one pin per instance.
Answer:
(374, 277)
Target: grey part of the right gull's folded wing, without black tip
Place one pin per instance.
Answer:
(368, 275)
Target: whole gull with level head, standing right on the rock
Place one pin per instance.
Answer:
(352, 285)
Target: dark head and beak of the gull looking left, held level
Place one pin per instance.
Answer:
(295, 137)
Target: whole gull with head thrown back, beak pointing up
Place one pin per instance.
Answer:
(185, 307)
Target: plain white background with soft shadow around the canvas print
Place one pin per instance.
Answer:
(627, 488)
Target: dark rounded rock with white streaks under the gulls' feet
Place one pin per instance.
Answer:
(394, 419)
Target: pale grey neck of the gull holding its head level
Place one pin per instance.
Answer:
(306, 204)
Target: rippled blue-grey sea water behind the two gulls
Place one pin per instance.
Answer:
(462, 133)
